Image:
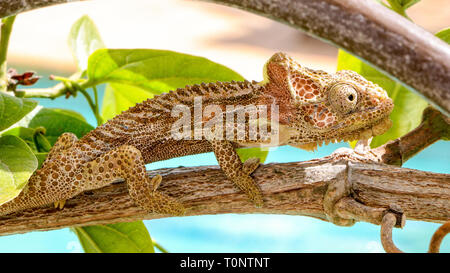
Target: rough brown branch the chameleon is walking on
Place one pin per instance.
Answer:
(289, 188)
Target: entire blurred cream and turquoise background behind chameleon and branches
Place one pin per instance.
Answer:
(243, 42)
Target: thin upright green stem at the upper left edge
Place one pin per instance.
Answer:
(6, 28)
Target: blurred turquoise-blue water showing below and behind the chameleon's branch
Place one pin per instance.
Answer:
(249, 232)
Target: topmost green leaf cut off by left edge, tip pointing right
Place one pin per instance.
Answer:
(13, 109)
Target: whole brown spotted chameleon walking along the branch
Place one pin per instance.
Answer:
(313, 107)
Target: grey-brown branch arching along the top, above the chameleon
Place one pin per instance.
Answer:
(363, 27)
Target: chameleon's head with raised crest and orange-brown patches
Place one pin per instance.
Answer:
(327, 107)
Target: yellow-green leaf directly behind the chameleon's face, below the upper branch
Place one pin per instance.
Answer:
(408, 107)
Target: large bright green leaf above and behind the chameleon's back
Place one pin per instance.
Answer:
(135, 75)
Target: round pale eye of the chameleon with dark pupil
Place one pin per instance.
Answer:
(343, 98)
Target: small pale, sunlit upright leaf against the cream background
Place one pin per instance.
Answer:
(84, 39)
